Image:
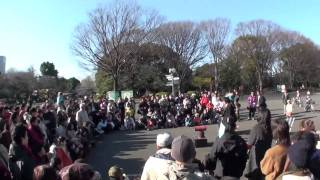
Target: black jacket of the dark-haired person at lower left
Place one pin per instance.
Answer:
(21, 162)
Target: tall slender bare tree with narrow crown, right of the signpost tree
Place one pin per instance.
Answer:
(216, 33)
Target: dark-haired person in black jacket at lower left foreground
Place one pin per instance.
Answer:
(21, 159)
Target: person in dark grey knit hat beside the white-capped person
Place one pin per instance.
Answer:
(184, 153)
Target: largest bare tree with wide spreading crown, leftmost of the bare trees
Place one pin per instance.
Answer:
(101, 42)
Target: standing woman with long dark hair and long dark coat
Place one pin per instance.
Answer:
(259, 142)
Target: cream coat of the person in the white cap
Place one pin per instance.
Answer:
(157, 166)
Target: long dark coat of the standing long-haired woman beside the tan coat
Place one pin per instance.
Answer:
(260, 140)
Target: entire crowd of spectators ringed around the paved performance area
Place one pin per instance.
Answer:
(51, 140)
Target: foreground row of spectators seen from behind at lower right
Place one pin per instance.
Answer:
(270, 153)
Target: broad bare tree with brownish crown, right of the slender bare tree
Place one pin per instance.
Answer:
(257, 41)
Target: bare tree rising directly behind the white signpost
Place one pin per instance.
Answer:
(185, 39)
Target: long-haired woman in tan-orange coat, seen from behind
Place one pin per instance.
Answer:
(273, 162)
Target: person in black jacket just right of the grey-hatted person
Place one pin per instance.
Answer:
(228, 155)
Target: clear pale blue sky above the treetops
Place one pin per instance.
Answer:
(34, 31)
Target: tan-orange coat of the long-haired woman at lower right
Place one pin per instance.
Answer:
(273, 162)
